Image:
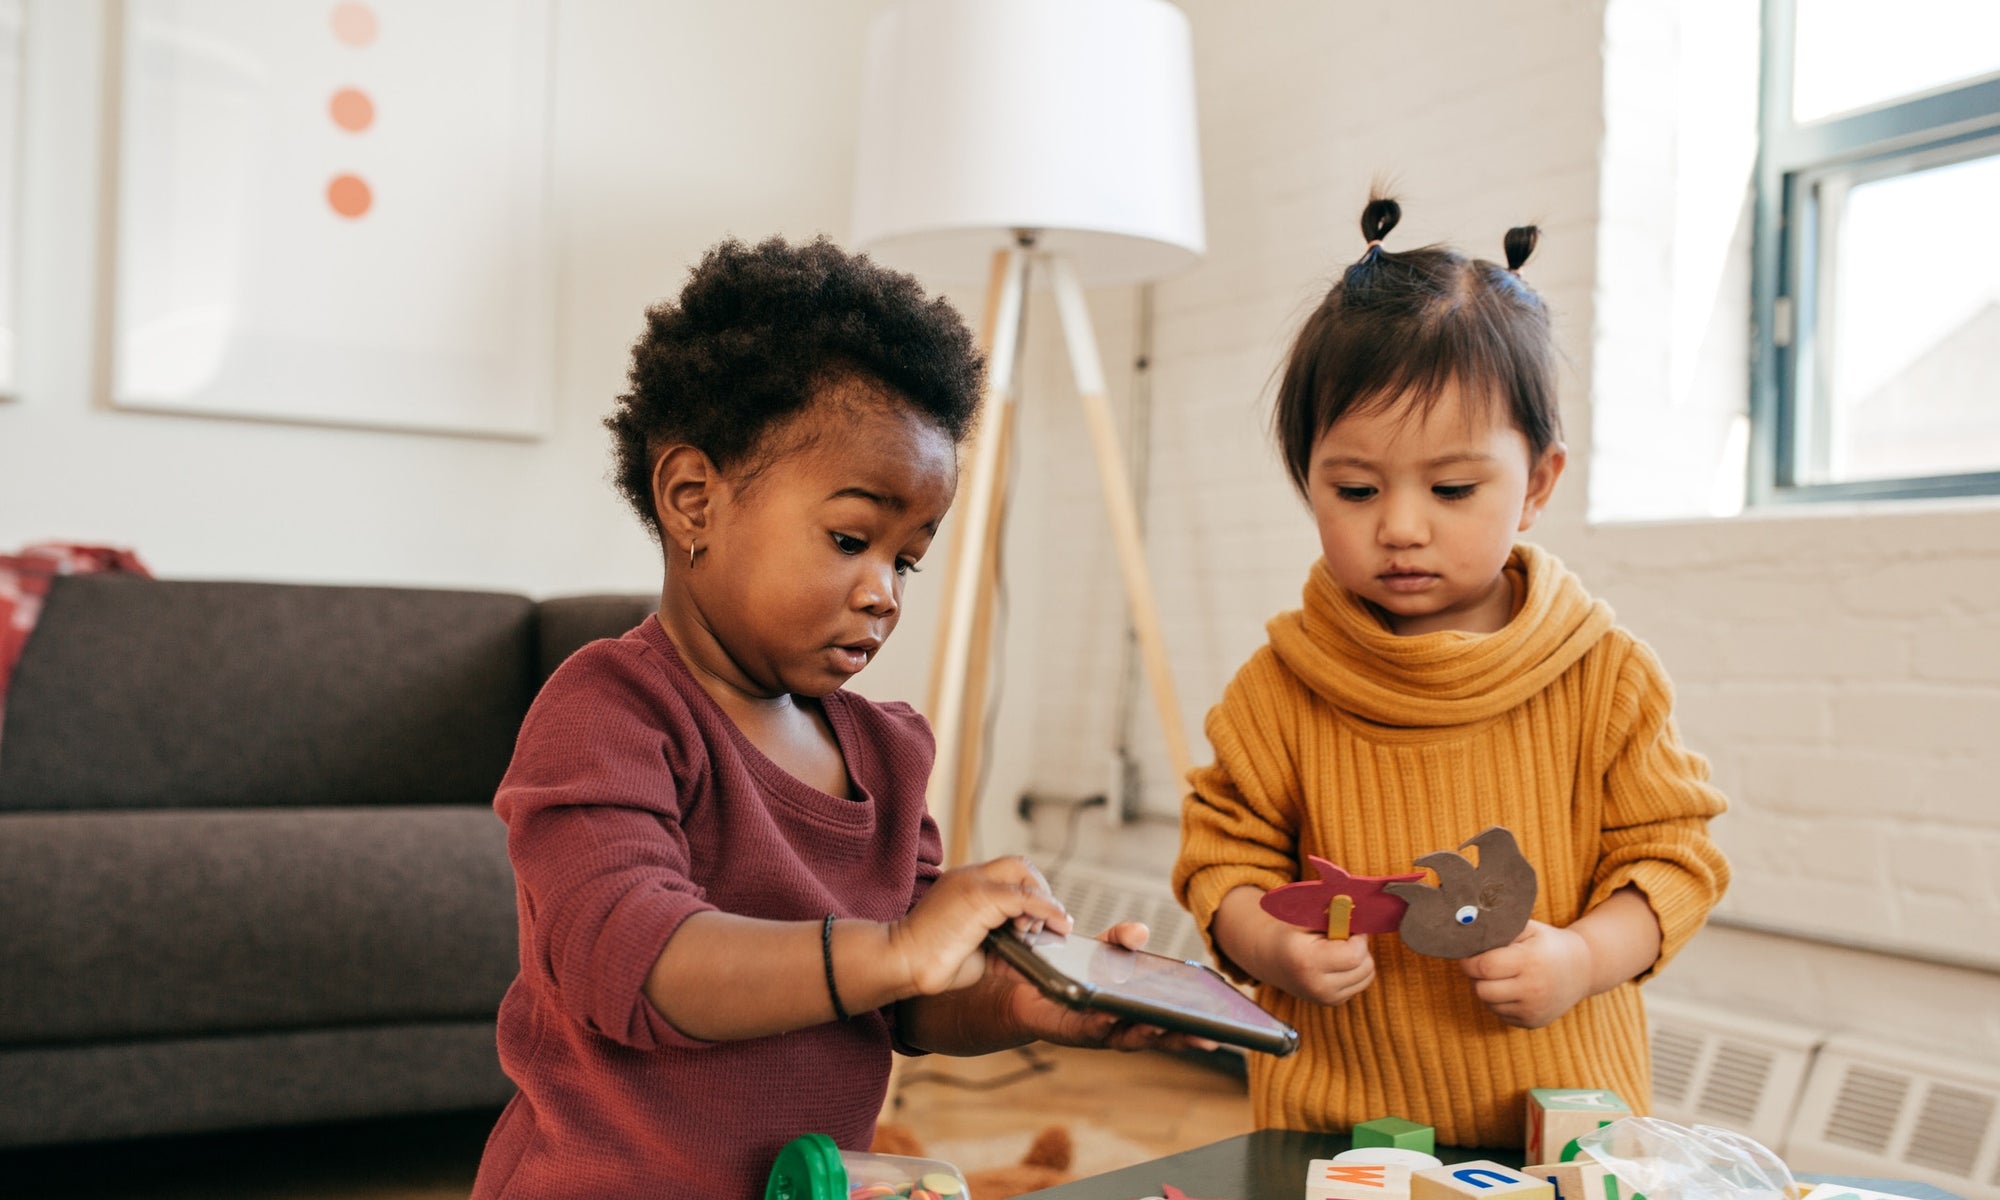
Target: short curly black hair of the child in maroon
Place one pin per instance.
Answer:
(759, 331)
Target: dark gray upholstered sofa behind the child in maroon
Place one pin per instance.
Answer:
(249, 863)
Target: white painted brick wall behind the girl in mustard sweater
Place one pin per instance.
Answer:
(1839, 667)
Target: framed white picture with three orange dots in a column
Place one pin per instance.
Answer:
(335, 213)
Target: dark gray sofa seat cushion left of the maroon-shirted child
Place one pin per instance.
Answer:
(139, 925)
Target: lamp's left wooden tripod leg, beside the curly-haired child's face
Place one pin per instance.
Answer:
(969, 563)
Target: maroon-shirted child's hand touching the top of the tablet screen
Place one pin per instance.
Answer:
(939, 941)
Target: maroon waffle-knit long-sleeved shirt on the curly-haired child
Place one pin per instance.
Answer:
(633, 803)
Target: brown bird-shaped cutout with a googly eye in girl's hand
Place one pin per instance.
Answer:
(1473, 909)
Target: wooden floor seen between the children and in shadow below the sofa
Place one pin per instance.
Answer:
(1121, 1109)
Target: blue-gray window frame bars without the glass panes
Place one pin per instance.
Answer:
(1793, 161)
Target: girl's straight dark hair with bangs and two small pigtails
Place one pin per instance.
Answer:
(1411, 323)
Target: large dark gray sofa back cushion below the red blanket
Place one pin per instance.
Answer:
(205, 695)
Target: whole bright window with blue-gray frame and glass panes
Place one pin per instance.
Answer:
(1877, 275)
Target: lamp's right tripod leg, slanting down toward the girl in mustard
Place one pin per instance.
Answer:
(1089, 371)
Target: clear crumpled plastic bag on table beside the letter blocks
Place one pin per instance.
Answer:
(1667, 1161)
